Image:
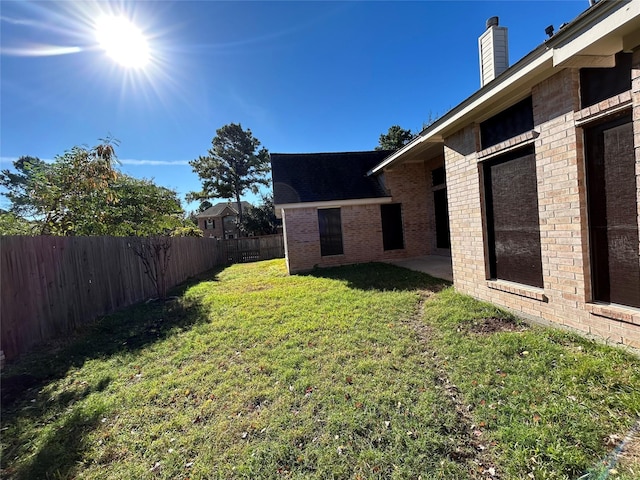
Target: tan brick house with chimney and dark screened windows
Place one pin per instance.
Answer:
(542, 182)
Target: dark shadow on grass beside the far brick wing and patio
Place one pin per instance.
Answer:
(382, 277)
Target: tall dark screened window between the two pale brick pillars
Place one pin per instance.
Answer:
(513, 225)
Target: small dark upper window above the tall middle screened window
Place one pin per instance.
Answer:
(513, 121)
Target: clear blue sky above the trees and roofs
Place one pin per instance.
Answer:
(303, 76)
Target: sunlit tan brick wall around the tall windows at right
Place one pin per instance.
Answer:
(566, 296)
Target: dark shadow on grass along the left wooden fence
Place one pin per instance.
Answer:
(23, 380)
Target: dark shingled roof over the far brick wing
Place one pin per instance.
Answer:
(322, 177)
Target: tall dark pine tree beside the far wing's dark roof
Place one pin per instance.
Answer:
(235, 163)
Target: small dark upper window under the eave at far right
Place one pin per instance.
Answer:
(597, 84)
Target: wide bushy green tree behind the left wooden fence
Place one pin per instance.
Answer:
(82, 193)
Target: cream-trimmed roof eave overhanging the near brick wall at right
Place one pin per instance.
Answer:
(601, 31)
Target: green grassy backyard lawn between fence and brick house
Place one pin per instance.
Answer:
(361, 372)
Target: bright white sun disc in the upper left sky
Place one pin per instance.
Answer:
(122, 41)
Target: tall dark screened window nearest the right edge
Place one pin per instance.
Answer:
(613, 212)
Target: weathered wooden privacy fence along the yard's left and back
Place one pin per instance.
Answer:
(51, 285)
